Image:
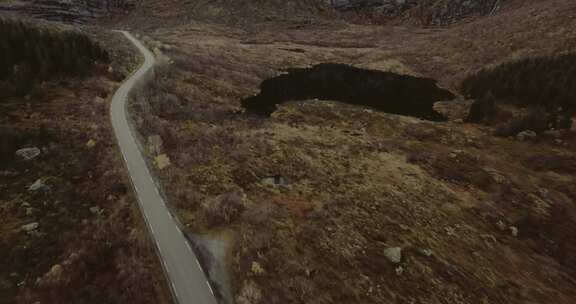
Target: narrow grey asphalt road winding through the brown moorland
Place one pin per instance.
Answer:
(187, 279)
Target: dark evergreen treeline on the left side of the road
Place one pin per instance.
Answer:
(30, 54)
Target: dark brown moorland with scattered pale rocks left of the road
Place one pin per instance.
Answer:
(70, 229)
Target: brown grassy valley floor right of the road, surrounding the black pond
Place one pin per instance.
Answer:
(319, 198)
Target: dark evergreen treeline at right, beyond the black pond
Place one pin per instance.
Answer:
(544, 82)
